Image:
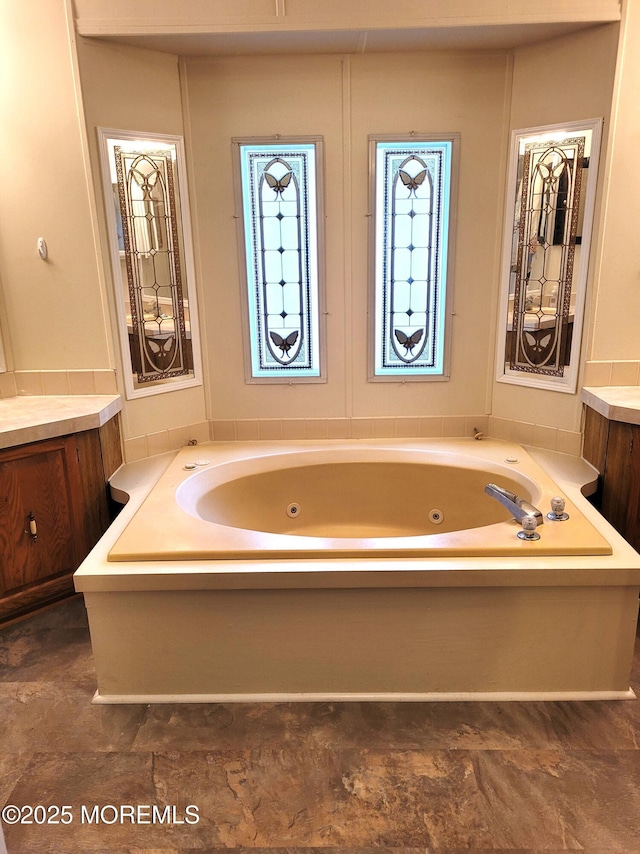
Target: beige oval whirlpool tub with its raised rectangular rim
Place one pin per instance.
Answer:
(348, 500)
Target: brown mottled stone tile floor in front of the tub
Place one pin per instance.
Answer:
(437, 778)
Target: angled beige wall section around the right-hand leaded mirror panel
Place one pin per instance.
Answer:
(563, 80)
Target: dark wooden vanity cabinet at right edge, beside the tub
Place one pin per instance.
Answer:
(613, 447)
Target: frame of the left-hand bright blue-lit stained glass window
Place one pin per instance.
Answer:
(281, 142)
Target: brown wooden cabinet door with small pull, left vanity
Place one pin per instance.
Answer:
(41, 479)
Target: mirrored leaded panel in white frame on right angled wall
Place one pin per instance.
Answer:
(553, 182)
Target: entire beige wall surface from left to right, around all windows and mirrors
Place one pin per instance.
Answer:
(59, 313)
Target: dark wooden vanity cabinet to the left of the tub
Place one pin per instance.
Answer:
(53, 509)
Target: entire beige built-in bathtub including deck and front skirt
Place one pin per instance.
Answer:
(358, 570)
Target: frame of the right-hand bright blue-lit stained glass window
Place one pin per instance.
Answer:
(442, 374)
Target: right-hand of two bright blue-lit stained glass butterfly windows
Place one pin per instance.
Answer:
(412, 197)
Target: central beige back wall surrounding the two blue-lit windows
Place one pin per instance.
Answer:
(345, 100)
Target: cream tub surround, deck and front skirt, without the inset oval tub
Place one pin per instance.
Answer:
(521, 626)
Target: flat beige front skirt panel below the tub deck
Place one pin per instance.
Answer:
(353, 644)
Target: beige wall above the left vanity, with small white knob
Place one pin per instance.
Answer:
(55, 314)
